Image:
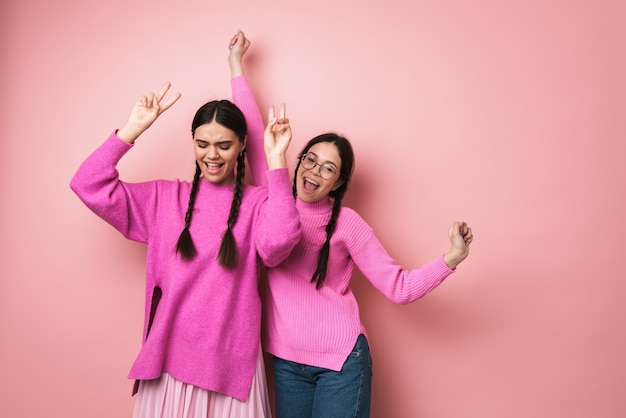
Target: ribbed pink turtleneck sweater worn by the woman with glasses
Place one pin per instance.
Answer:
(320, 327)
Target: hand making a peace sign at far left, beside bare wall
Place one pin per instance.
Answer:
(146, 110)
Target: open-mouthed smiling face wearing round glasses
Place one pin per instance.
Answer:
(310, 184)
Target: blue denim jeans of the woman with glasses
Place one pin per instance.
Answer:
(313, 392)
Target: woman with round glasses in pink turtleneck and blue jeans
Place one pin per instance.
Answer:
(322, 365)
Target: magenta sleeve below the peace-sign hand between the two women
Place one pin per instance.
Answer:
(278, 229)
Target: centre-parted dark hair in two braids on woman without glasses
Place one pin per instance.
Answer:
(230, 116)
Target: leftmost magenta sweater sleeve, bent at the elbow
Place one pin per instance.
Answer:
(127, 207)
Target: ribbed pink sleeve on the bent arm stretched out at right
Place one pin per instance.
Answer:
(397, 284)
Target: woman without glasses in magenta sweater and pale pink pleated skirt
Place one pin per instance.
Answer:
(201, 354)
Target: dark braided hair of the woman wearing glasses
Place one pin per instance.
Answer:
(345, 174)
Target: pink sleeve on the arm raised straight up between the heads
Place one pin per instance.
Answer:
(244, 99)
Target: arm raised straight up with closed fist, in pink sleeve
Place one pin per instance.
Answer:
(244, 99)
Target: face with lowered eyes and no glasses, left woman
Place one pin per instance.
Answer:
(217, 148)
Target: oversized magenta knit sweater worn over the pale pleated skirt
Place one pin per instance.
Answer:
(206, 329)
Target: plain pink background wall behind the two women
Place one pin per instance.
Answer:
(507, 114)
